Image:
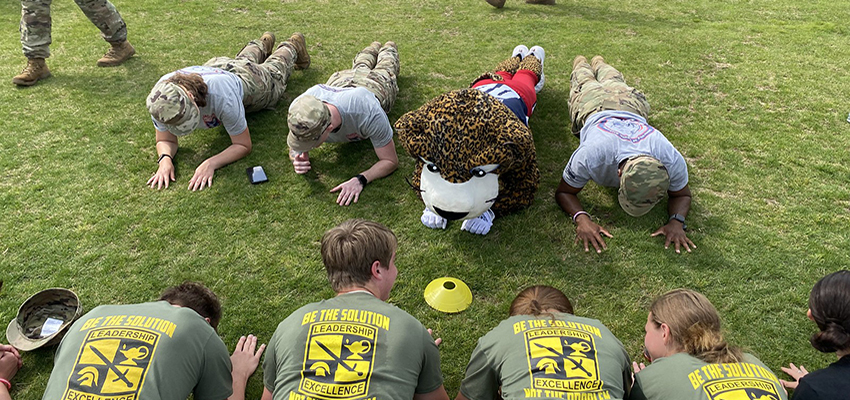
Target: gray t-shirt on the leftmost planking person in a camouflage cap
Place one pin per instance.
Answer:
(224, 100)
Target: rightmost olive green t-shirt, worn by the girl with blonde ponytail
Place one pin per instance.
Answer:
(684, 377)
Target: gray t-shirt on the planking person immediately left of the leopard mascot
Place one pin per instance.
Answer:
(361, 112)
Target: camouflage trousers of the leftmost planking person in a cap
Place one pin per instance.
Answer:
(263, 76)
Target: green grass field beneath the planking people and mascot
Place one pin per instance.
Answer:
(753, 93)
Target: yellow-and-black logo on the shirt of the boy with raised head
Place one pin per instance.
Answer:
(338, 360)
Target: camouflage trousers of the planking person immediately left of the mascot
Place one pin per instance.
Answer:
(374, 68)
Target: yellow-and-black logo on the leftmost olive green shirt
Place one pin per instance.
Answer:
(112, 364)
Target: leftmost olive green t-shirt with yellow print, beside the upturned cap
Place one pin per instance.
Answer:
(148, 351)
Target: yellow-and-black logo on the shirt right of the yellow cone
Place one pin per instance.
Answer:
(562, 359)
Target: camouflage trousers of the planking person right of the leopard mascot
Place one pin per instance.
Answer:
(600, 87)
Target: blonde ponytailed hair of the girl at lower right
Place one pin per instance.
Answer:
(694, 326)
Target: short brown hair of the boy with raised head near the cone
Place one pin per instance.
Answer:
(349, 249)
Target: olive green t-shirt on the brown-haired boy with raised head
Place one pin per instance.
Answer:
(352, 346)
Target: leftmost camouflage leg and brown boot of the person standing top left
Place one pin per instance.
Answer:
(35, 41)
